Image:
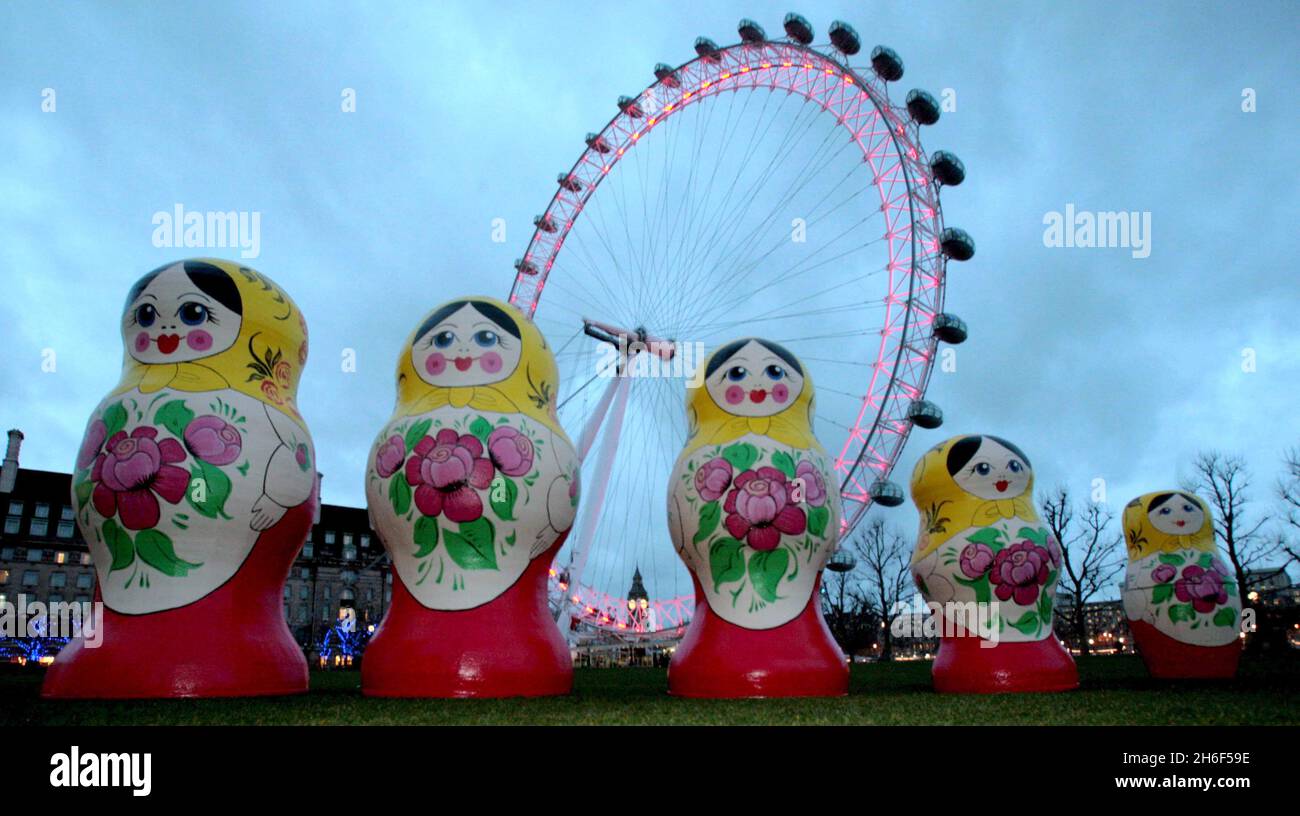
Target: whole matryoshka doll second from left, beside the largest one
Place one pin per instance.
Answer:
(473, 485)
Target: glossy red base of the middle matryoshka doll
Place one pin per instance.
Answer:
(720, 659)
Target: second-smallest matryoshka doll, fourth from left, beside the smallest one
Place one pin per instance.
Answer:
(983, 550)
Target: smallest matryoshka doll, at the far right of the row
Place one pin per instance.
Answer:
(1181, 598)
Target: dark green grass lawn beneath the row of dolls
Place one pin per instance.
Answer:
(1115, 691)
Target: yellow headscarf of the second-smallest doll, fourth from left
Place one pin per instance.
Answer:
(947, 509)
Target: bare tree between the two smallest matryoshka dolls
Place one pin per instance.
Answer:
(1090, 554)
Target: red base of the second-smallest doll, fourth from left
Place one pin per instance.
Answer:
(964, 667)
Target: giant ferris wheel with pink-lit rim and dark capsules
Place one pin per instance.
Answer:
(768, 189)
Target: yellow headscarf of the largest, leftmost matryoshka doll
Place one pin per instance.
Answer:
(265, 362)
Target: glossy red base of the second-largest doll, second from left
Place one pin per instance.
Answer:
(508, 648)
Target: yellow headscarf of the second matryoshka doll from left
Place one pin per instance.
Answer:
(531, 389)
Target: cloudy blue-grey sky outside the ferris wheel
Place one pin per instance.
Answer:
(1099, 364)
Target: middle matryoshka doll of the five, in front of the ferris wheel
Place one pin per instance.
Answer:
(755, 515)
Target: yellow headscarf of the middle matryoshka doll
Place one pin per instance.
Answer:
(710, 424)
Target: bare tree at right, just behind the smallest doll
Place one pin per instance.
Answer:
(1225, 481)
